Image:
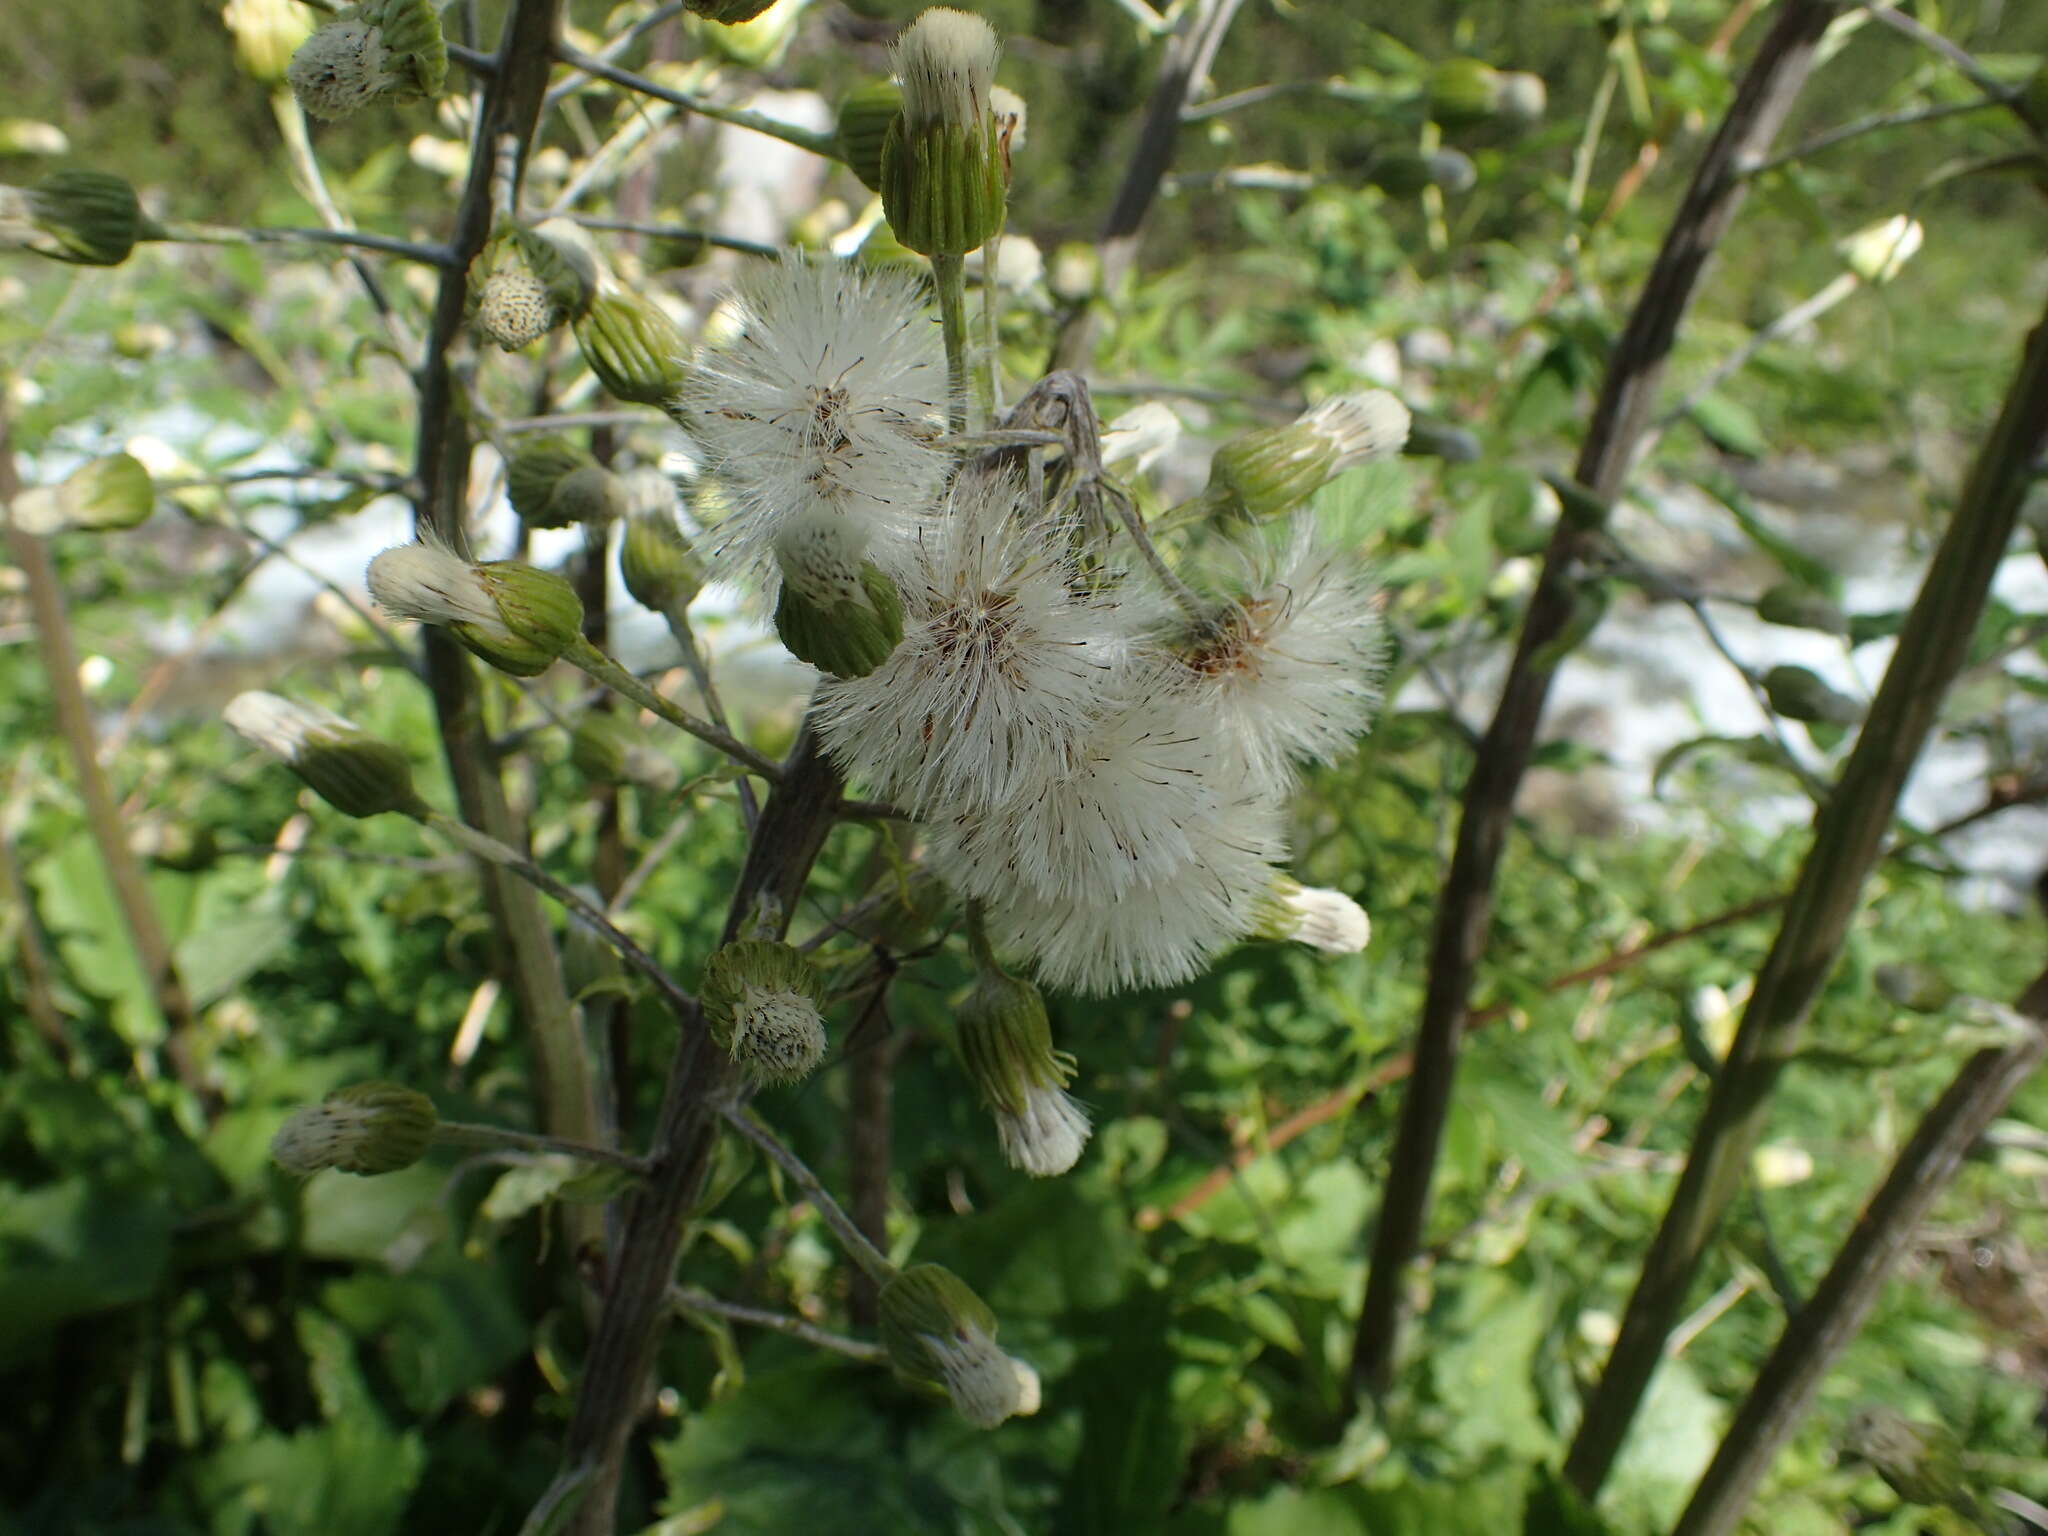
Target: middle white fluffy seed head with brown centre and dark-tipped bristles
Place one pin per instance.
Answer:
(1005, 669)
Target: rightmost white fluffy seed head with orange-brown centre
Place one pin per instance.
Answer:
(1289, 671)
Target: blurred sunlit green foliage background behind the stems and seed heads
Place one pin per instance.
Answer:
(196, 1345)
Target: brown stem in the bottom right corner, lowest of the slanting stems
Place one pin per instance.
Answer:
(1828, 1324)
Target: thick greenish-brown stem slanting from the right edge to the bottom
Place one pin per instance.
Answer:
(1848, 835)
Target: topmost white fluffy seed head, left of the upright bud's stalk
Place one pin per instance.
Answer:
(833, 388)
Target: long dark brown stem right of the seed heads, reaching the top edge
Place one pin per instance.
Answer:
(1465, 912)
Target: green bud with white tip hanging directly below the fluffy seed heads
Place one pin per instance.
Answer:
(1007, 1043)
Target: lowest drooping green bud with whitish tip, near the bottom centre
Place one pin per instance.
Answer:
(941, 1336)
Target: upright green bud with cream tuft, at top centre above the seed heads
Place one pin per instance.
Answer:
(945, 169)
